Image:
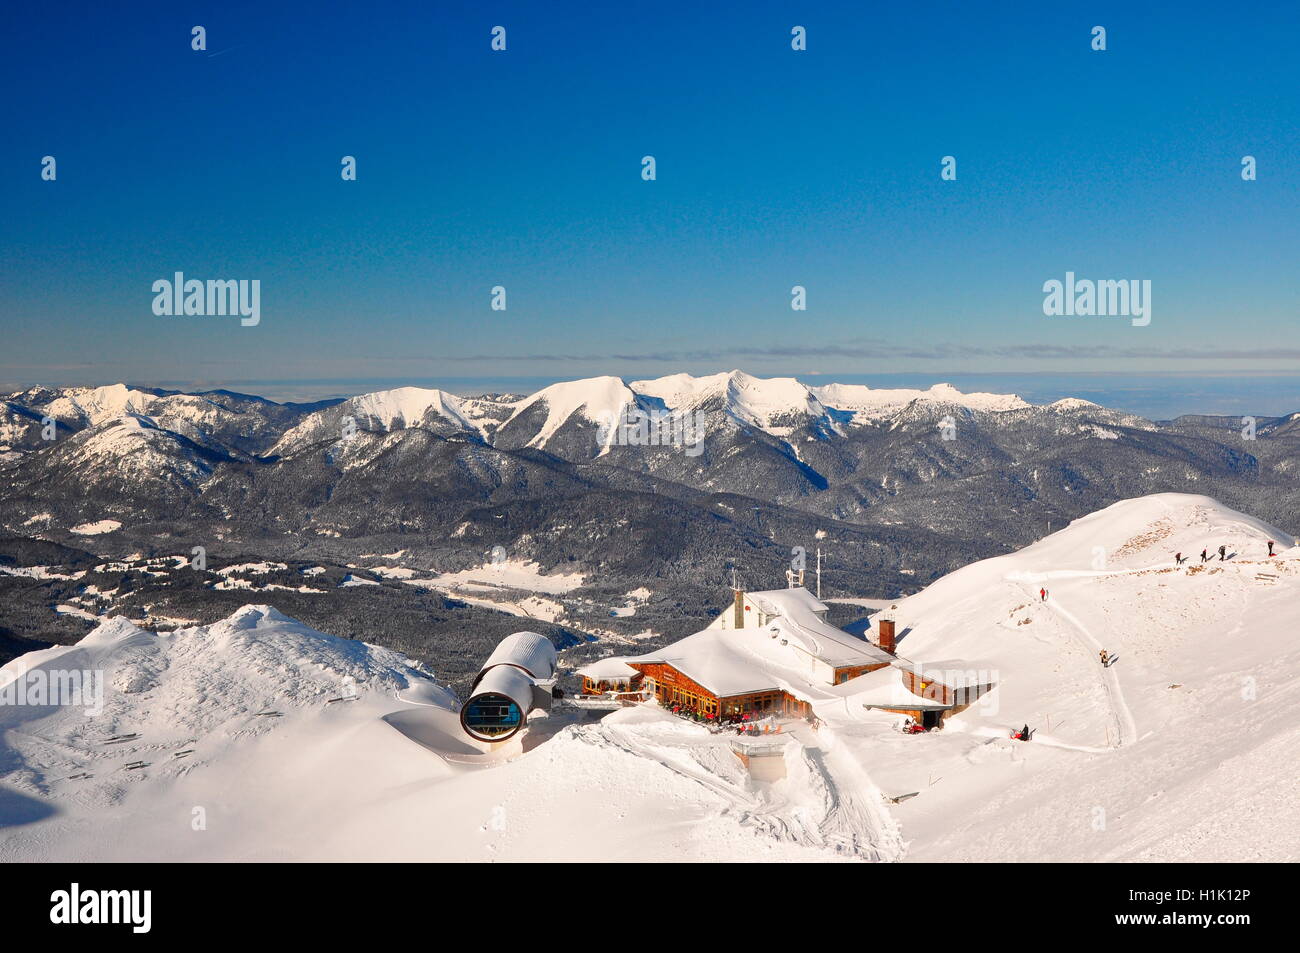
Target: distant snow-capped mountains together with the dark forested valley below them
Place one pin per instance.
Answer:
(898, 488)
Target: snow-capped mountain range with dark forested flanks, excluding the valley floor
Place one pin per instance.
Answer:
(915, 458)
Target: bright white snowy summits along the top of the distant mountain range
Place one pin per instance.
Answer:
(561, 418)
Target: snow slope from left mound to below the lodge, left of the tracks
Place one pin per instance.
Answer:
(261, 739)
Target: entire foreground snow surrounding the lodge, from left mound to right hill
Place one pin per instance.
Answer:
(261, 739)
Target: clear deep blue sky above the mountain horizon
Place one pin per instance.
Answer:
(775, 168)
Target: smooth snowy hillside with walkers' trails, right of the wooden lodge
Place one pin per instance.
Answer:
(1184, 750)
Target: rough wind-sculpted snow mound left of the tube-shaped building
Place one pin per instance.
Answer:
(164, 692)
